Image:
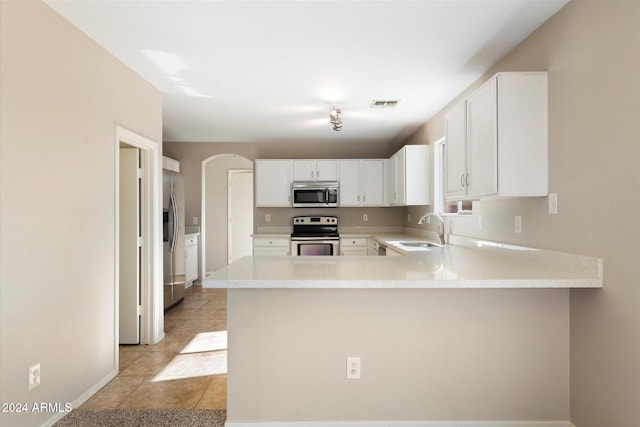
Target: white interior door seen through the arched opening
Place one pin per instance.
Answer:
(240, 212)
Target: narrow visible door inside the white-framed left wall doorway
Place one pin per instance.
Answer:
(129, 246)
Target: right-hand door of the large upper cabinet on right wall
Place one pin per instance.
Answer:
(482, 141)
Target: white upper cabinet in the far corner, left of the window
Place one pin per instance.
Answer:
(409, 176)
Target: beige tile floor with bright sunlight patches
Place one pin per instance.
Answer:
(186, 370)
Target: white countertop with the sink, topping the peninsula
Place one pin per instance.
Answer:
(466, 264)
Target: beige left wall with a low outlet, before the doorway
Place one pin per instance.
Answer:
(62, 97)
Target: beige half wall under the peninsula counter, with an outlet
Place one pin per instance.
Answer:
(427, 355)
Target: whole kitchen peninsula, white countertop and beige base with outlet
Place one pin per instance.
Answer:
(472, 331)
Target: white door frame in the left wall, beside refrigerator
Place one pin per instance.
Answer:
(151, 292)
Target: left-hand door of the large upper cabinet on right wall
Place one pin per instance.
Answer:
(455, 151)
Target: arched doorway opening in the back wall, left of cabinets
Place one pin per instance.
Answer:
(215, 231)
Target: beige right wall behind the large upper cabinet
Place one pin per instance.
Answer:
(591, 50)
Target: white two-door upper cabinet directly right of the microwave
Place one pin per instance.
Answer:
(361, 182)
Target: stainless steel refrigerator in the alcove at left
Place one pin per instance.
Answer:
(173, 237)
